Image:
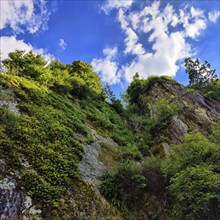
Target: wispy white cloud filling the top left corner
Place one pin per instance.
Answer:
(23, 15)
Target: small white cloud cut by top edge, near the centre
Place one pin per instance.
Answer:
(111, 4)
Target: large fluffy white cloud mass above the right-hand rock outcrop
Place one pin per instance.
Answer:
(157, 39)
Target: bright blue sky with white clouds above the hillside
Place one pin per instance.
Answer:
(118, 37)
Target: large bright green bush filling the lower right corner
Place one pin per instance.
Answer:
(192, 172)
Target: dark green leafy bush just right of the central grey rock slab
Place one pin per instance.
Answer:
(124, 188)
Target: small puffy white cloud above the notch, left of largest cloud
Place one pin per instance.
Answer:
(106, 67)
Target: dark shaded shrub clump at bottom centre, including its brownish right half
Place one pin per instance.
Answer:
(137, 188)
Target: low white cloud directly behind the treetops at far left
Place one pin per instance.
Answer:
(10, 44)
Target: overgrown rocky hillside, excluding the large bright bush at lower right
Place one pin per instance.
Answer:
(61, 144)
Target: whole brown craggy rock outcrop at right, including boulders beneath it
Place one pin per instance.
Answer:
(196, 112)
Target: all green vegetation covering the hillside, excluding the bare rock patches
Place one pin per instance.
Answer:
(58, 106)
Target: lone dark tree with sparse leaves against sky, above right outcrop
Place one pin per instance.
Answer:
(199, 74)
